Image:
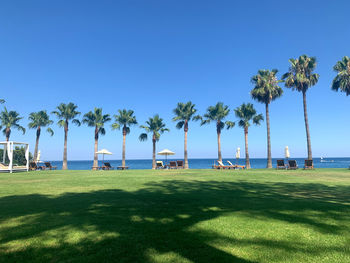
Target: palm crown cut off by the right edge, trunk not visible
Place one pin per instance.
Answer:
(342, 80)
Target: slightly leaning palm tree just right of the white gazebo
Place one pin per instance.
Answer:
(37, 121)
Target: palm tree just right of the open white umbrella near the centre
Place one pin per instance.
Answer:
(184, 113)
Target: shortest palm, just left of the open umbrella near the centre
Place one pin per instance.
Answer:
(156, 126)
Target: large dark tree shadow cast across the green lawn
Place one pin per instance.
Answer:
(120, 226)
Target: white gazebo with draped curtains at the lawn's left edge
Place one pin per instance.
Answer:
(7, 165)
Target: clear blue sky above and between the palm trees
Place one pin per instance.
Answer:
(149, 55)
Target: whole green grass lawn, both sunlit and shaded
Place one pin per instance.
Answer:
(175, 216)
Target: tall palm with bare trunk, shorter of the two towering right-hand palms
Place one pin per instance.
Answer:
(265, 91)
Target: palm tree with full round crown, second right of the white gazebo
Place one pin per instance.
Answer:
(66, 113)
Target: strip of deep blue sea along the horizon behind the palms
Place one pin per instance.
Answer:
(256, 163)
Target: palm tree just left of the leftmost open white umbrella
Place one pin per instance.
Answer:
(97, 120)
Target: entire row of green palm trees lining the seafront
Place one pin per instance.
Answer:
(300, 77)
